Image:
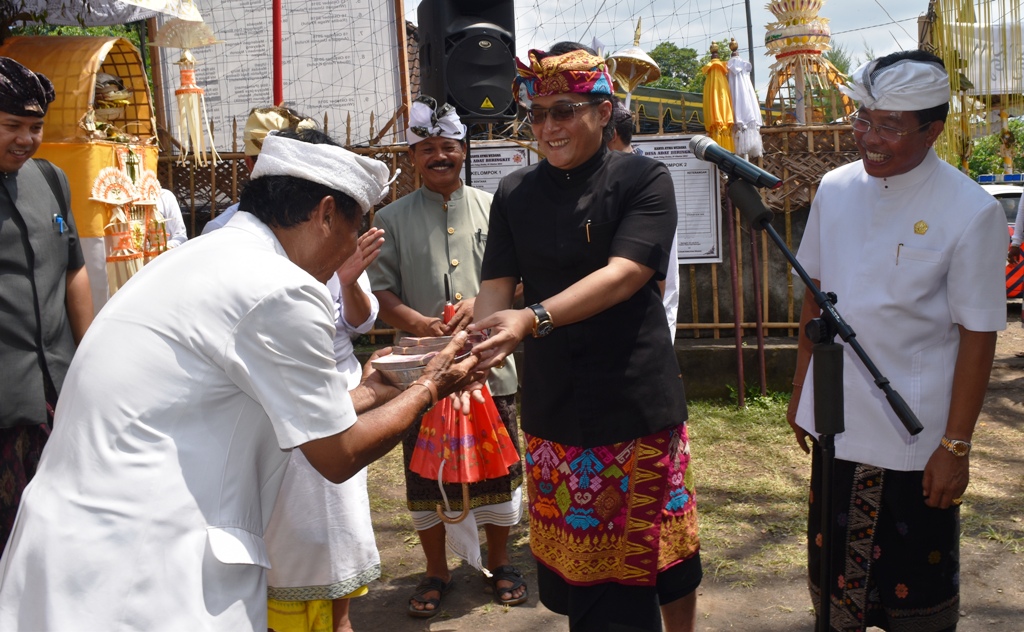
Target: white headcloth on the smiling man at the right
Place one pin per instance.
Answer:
(908, 86)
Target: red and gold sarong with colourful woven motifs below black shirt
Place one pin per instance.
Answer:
(620, 514)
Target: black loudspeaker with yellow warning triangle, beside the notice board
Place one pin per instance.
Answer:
(467, 57)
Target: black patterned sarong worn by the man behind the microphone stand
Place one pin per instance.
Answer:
(895, 561)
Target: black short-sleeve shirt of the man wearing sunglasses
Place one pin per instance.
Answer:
(615, 376)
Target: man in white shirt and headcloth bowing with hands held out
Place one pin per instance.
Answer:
(172, 437)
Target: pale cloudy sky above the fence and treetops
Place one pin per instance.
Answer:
(858, 26)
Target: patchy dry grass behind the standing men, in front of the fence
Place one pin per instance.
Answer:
(751, 481)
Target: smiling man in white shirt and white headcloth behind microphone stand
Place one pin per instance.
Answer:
(914, 249)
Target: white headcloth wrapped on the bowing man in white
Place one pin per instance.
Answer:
(365, 180)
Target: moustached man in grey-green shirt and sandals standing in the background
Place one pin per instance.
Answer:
(439, 233)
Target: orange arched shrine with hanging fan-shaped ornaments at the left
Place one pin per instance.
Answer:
(102, 133)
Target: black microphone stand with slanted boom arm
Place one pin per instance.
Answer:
(829, 412)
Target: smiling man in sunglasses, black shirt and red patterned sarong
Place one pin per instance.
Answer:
(588, 233)
